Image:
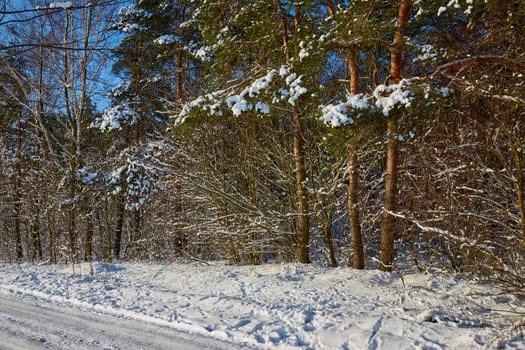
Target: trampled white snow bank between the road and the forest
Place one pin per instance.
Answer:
(281, 306)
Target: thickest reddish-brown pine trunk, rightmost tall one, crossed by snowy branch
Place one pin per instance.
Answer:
(388, 222)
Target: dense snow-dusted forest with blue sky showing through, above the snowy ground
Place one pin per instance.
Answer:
(363, 133)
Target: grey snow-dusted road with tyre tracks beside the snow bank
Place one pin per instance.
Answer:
(26, 325)
